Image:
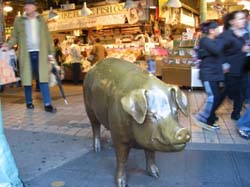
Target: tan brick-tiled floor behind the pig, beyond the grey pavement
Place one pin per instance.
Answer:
(71, 119)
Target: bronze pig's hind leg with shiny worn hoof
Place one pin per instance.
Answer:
(96, 128)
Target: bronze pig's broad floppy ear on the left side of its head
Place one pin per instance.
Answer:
(135, 103)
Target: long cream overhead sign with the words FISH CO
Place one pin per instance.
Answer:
(102, 15)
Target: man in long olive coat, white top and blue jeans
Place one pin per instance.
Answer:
(31, 34)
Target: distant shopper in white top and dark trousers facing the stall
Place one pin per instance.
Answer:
(75, 53)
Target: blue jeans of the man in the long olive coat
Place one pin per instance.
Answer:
(44, 86)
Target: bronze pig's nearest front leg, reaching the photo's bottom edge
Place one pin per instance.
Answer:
(122, 152)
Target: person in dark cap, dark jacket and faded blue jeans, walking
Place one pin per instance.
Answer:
(211, 74)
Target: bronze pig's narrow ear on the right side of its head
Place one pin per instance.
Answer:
(180, 99)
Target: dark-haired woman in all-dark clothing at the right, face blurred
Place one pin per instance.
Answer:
(235, 54)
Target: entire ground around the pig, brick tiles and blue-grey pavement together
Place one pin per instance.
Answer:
(58, 147)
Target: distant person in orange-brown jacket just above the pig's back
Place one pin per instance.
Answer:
(98, 52)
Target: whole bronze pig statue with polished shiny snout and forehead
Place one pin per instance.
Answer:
(139, 110)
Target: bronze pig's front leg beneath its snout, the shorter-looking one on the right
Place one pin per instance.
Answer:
(151, 167)
